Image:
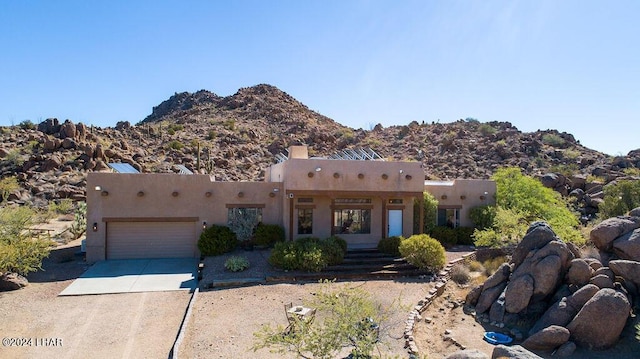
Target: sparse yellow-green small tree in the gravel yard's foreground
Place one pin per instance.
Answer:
(351, 319)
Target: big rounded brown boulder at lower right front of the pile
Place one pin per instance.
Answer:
(600, 321)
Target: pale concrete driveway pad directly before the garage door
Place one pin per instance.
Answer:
(136, 275)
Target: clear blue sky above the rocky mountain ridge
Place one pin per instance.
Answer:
(568, 65)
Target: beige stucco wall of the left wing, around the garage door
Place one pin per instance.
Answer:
(159, 202)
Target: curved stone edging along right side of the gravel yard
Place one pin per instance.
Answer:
(441, 280)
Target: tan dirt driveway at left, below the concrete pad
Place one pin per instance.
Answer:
(131, 325)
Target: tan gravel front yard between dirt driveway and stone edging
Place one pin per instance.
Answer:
(223, 320)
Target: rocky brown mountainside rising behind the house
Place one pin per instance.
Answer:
(237, 137)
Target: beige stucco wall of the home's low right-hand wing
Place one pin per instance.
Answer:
(464, 194)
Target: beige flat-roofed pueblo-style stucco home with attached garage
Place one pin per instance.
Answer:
(357, 196)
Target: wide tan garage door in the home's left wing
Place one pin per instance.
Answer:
(127, 240)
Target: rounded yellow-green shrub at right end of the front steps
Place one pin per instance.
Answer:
(423, 252)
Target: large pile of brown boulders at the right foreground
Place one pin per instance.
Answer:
(554, 298)
